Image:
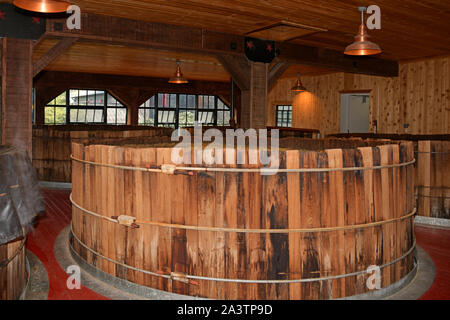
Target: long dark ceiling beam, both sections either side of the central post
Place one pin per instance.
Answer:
(128, 32)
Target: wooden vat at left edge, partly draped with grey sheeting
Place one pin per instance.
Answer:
(20, 201)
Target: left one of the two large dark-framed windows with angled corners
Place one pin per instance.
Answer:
(85, 106)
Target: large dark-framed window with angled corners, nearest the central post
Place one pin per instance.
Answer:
(182, 110)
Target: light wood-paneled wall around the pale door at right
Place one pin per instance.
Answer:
(419, 96)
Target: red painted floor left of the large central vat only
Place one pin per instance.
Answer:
(42, 240)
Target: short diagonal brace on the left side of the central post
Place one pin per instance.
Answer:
(239, 69)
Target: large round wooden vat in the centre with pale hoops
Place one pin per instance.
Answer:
(310, 233)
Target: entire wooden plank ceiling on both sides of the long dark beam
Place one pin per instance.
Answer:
(410, 29)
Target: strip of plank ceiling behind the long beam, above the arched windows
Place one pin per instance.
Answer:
(92, 57)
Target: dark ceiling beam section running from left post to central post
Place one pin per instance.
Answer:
(128, 32)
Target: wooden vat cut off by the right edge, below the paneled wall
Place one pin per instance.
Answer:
(433, 179)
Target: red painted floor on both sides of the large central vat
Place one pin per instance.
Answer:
(436, 243)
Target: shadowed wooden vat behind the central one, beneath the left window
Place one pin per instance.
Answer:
(52, 145)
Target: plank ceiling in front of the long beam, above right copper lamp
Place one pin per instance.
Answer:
(409, 29)
